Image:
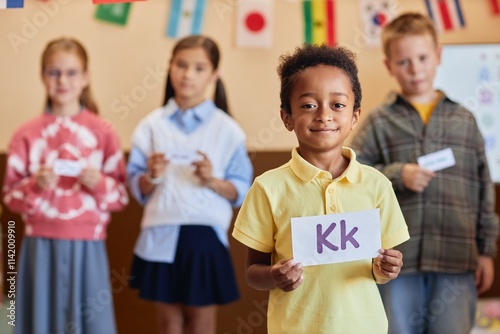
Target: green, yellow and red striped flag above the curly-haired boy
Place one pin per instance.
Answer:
(319, 25)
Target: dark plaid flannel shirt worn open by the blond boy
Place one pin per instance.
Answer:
(453, 220)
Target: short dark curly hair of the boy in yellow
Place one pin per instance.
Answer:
(311, 56)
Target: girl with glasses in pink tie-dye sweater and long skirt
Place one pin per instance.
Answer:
(65, 173)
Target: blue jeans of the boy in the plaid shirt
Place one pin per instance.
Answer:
(431, 303)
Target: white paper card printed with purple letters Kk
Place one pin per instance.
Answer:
(336, 238)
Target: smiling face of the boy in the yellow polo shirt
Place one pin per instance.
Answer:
(322, 115)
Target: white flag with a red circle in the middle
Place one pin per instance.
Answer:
(254, 23)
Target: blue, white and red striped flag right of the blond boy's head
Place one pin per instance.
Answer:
(446, 14)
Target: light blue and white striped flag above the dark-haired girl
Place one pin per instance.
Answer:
(186, 18)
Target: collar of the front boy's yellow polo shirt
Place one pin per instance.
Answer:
(308, 172)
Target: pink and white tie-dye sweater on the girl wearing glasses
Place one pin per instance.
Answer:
(69, 210)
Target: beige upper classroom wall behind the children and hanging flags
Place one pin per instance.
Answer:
(125, 60)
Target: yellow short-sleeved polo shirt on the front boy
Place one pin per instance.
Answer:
(334, 298)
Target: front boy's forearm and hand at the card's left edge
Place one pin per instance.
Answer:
(285, 275)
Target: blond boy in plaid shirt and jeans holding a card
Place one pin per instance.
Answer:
(450, 212)
